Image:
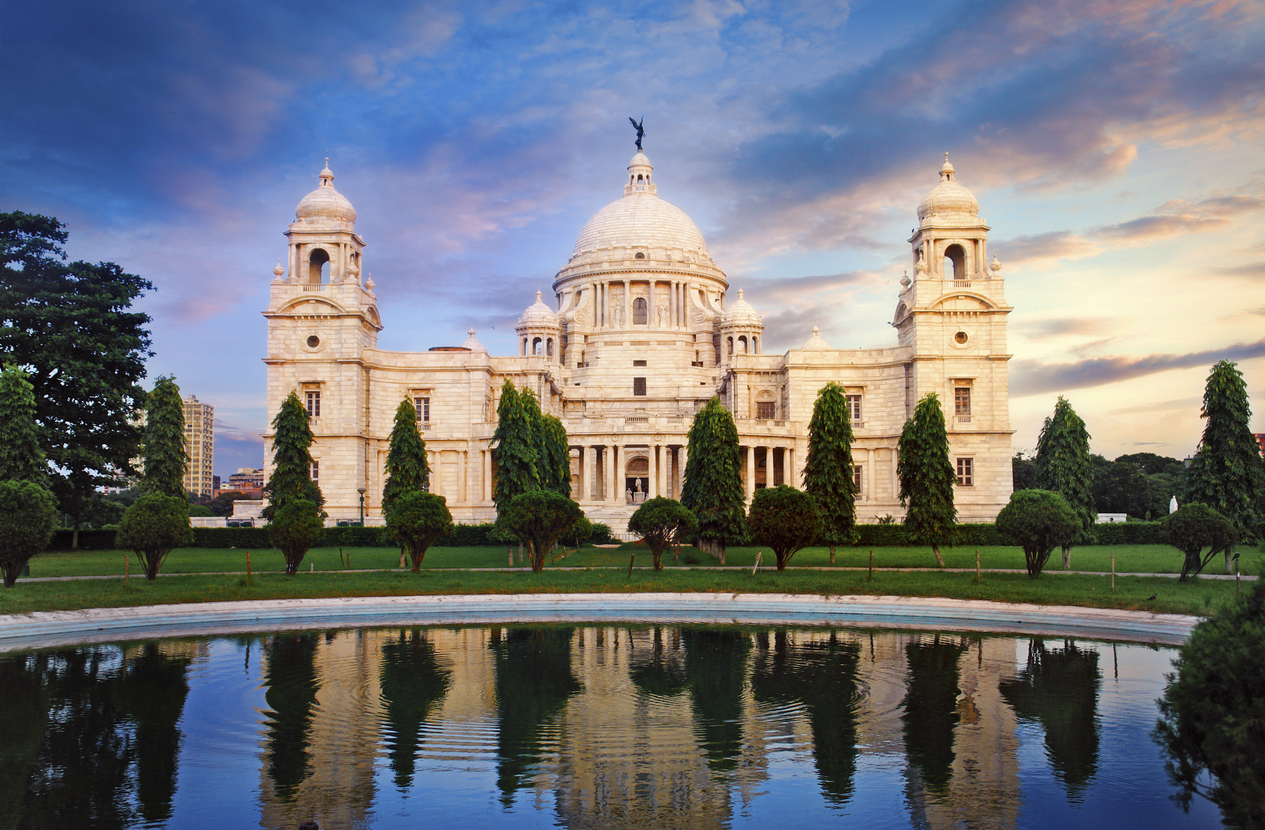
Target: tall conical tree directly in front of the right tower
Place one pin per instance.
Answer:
(927, 478)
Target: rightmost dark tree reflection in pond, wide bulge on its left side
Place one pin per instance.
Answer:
(1059, 690)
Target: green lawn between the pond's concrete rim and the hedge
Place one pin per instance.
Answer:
(605, 570)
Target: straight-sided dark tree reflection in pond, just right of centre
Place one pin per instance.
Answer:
(717, 667)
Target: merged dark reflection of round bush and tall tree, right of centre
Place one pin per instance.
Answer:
(823, 676)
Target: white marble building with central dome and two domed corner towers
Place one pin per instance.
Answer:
(638, 337)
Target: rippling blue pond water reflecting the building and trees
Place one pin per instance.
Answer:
(588, 727)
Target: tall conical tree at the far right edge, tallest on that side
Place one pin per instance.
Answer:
(1226, 473)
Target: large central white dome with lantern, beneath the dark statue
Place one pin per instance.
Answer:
(641, 220)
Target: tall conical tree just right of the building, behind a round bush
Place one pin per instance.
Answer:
(1063, 466)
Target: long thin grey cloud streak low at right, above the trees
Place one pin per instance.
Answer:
(1033, 378)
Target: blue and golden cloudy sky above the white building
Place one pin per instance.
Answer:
(1116, 147)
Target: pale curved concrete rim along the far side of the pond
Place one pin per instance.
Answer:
(47, 629)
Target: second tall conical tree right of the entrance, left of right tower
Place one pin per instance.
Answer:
(828, 475)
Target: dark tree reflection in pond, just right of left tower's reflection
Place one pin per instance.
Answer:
(413, 683)
